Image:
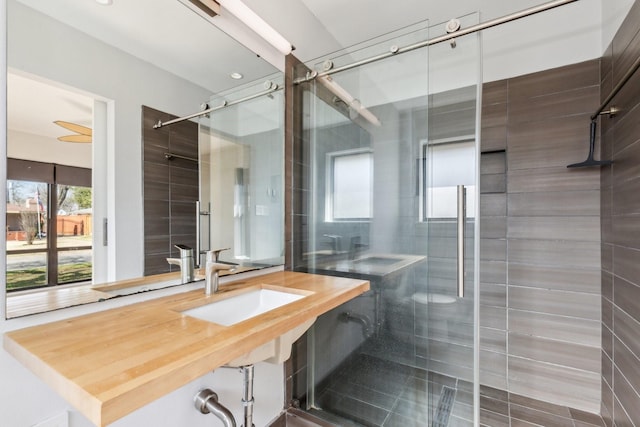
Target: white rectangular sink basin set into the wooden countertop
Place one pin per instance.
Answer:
(241, 307)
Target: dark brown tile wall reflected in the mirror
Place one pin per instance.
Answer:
(170, 189)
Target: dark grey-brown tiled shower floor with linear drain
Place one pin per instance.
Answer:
(373, 392)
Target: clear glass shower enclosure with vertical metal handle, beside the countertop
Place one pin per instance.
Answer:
(388, 189)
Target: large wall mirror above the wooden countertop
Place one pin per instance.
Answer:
(81, 76)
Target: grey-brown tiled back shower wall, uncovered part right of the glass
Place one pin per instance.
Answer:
(540, 241)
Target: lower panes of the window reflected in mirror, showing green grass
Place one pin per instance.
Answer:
(32, 277)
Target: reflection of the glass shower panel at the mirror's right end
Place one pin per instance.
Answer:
(241, 176)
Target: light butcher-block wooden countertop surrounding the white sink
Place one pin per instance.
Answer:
(108, 364)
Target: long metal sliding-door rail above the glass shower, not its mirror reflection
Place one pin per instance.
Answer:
(311, 75)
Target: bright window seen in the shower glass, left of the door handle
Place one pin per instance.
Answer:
(349, 186)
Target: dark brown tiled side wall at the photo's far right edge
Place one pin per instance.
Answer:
(621, 231)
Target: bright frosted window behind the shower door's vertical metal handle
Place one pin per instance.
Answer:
(447, 164)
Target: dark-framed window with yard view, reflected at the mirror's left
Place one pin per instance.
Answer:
(49, 225)
